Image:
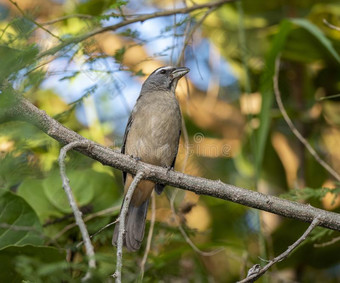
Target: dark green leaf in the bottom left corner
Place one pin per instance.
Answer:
(13, 265)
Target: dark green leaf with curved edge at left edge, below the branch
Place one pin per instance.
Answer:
(19, 223)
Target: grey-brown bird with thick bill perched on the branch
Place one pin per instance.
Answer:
(152, 136)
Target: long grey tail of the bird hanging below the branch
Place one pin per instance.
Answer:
(134, 227)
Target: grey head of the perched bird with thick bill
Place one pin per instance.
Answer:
(164, 78)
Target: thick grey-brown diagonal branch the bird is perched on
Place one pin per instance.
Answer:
(26, 111)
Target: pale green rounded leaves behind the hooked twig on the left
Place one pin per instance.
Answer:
(48, 199)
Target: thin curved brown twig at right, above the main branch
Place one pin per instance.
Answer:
(293, 128)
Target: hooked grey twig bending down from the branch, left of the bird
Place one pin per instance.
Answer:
(77, 213)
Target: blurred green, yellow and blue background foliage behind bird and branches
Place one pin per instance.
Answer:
(235, 134)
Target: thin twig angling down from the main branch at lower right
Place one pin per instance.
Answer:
(256, 271)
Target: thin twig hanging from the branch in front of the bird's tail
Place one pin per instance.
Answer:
(122, 216)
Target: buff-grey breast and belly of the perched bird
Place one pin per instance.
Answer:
(154, 133)
